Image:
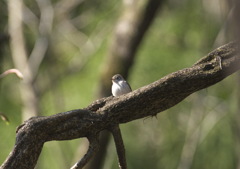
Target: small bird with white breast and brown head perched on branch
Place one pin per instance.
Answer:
(120, 86)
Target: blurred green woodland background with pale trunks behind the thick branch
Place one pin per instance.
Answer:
(68, 50)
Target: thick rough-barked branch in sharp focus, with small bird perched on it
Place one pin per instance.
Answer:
(102, 114)
